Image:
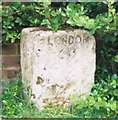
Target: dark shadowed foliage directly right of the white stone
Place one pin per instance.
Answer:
(106, 54)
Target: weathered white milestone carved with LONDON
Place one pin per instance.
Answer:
(57, 64)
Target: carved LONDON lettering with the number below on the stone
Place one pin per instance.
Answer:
(67, 43)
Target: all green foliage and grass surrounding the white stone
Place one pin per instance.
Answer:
(101, 19)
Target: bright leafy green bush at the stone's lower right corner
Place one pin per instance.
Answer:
(101, 102)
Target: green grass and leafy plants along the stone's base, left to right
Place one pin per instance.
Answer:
(101, 103)
